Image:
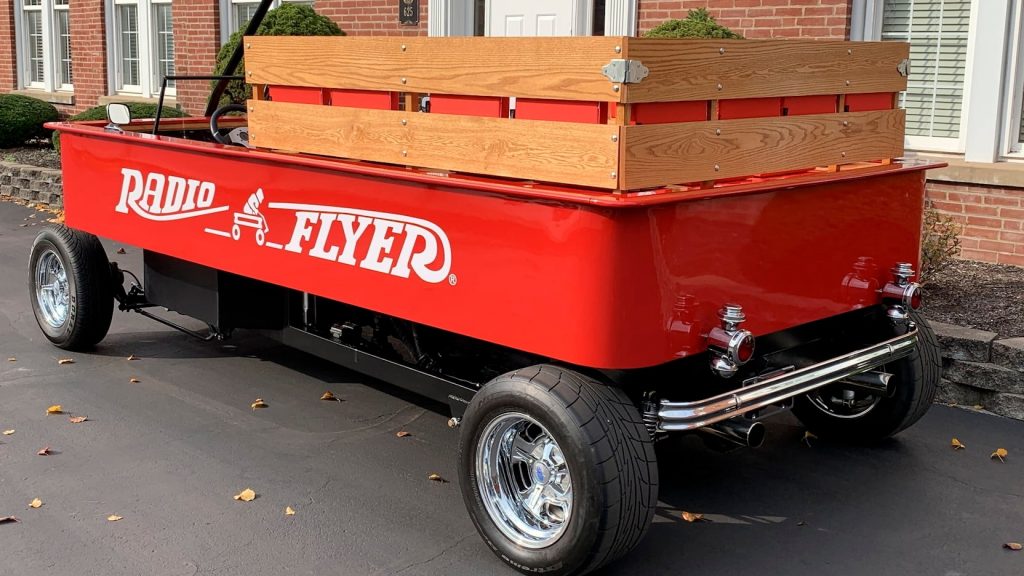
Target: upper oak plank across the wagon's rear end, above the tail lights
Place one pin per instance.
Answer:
(692, 70)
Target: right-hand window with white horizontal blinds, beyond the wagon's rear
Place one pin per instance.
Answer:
(937, 31)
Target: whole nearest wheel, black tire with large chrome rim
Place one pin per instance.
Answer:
(558, 471)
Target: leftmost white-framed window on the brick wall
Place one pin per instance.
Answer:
(45, 46)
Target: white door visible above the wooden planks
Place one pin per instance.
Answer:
(538, 18)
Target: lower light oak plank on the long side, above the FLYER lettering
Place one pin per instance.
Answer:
(553, 152)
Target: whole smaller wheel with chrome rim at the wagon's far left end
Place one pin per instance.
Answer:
(70, 287)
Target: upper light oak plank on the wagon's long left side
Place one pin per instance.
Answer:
(540, 68)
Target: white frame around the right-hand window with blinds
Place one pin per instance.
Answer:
(867, 25)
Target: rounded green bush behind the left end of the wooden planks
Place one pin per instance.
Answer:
(289, 20)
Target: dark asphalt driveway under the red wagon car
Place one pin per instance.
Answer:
(168, 452)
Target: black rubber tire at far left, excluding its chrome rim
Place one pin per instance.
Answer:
(90, 285)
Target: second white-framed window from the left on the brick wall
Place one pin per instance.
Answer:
(142, 47)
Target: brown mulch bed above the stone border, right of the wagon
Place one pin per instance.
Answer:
(978, 296)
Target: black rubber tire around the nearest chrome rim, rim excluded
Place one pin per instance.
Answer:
(611, 458)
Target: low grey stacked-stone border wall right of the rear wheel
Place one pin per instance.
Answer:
(982, 369)
